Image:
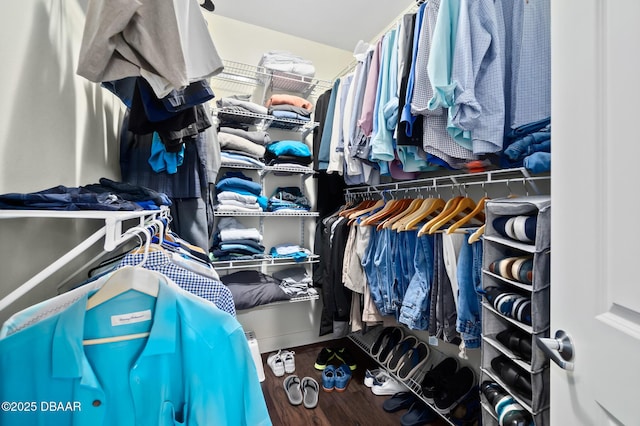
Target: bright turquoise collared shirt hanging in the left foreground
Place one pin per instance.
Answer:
(194, 368)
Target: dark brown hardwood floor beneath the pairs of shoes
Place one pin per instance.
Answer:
(356, 406)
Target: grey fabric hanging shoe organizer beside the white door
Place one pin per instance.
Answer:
(502, 248)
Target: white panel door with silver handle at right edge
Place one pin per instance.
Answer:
(595, 269)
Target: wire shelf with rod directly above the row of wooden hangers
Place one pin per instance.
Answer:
(452, 181)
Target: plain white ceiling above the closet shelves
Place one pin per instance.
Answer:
(337, 23)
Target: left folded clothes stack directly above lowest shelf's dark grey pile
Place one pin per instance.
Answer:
(234, 241)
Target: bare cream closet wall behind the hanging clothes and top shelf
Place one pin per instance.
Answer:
(60, 129)
